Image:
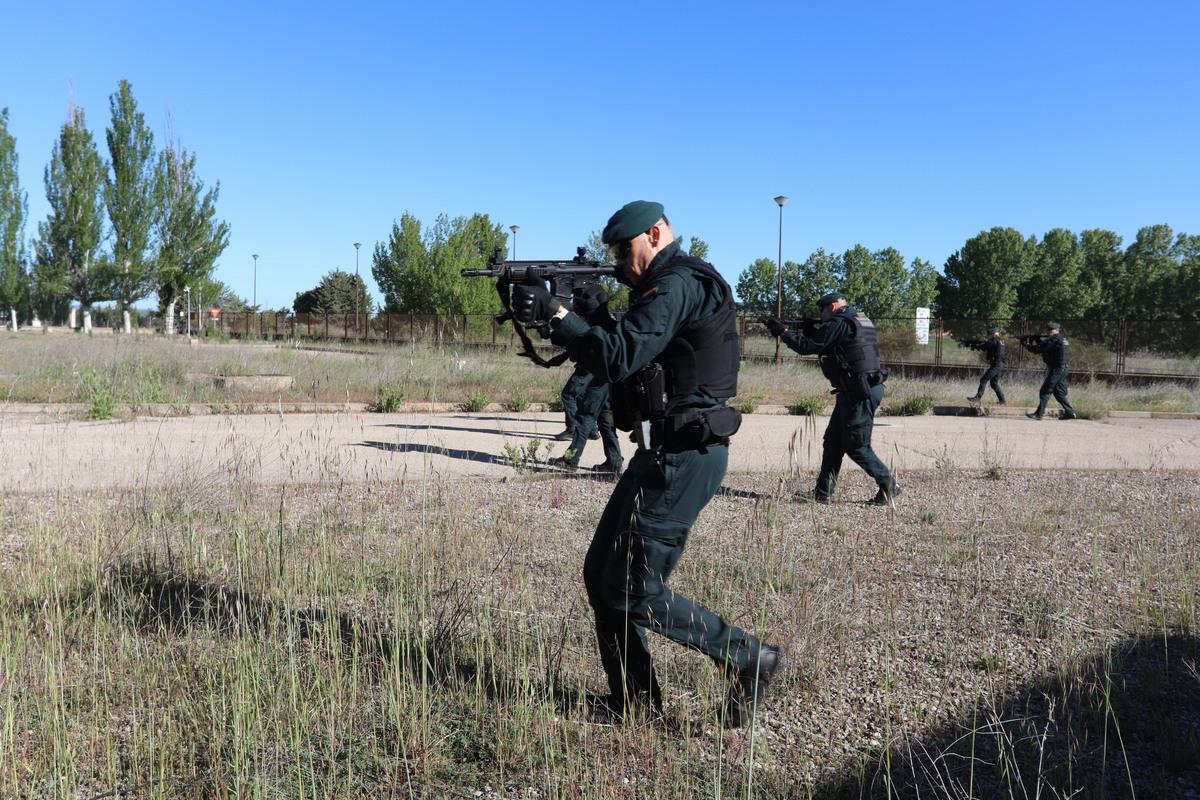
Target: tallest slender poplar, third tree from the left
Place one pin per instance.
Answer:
(130, 197)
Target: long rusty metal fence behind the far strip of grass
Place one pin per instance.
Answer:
(1106, 348)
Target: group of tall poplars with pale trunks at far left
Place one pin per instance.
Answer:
(121, 230)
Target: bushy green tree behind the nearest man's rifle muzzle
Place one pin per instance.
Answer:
(419, 273)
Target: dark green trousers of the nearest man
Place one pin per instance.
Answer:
(637, 548)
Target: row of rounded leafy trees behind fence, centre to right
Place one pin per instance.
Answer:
(1000, 274)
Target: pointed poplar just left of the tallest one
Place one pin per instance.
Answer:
(70, 263)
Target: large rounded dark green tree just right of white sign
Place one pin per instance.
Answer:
(981, 280)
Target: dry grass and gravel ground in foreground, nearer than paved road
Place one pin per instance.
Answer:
(987, 639)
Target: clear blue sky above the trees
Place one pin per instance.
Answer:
(909, 125)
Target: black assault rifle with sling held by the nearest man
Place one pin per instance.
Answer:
(562, 276)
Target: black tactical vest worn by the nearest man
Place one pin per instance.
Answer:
(705, 356)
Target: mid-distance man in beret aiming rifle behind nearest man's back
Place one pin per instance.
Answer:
(850, 358)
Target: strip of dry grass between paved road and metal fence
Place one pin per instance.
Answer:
(115, 370)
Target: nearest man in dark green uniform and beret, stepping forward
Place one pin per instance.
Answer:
(673, 362)
